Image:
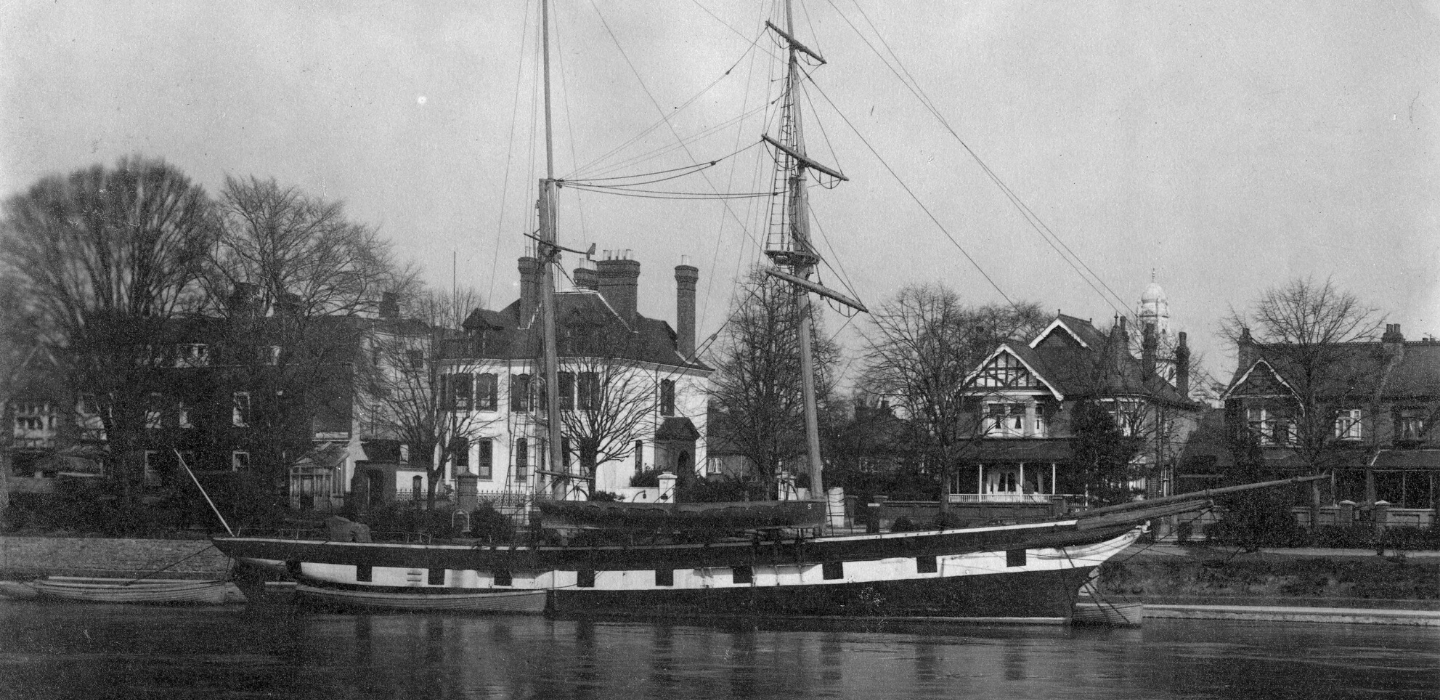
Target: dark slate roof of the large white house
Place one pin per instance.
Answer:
(500, 336)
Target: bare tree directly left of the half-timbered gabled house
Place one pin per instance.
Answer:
(924, 348)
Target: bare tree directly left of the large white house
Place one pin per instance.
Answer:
(417, 390)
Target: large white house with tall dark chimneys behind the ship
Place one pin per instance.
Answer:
(631, 391)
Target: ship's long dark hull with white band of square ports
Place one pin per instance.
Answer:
(1003, 574)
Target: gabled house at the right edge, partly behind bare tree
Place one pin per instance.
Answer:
(1364, 413)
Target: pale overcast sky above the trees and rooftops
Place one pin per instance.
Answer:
(1225, 148)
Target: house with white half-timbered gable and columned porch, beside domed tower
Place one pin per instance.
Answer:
(1023, 403)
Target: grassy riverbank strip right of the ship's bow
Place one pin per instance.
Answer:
(1272, 580)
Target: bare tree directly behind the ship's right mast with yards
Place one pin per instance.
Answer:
(758, 377)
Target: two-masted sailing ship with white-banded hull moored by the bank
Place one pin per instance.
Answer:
(786, 561)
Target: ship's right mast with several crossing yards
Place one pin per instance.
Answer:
(793, 250)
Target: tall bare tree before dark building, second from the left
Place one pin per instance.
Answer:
(289, 276)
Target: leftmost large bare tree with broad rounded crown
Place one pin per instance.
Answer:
(107, 259)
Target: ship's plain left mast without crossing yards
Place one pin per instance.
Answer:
(548, 251)
